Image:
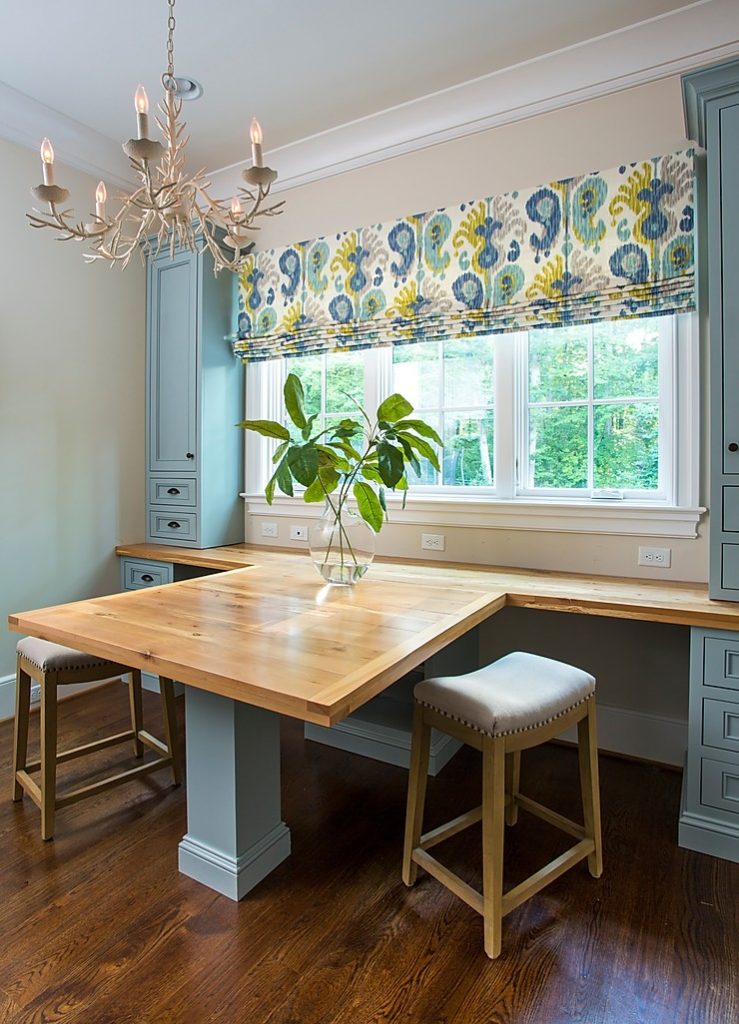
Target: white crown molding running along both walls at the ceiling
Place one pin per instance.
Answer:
(704, 33)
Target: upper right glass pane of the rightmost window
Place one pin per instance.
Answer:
(626, 361)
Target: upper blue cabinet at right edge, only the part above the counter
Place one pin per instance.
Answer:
(712, 108)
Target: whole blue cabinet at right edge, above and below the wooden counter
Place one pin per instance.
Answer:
(710, 814)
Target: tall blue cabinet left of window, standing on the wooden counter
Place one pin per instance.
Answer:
(195, 398)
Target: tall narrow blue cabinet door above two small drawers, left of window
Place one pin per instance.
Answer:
(172, 361)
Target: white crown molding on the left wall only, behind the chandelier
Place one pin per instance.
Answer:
(25, 121)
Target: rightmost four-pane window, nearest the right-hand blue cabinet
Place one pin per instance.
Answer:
(598, 409)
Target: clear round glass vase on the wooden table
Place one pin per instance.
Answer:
(342, 546)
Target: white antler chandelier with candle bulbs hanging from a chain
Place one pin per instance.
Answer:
(169, 209)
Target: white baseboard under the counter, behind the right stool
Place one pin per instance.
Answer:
(639, 735)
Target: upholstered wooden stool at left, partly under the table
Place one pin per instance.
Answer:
(52, 666)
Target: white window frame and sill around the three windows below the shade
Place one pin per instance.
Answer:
(675, 514)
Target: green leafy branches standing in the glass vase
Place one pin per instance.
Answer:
(358, 458)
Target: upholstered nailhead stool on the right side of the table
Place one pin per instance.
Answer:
(516, 703)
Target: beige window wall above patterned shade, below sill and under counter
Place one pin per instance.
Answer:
(593, 136)
